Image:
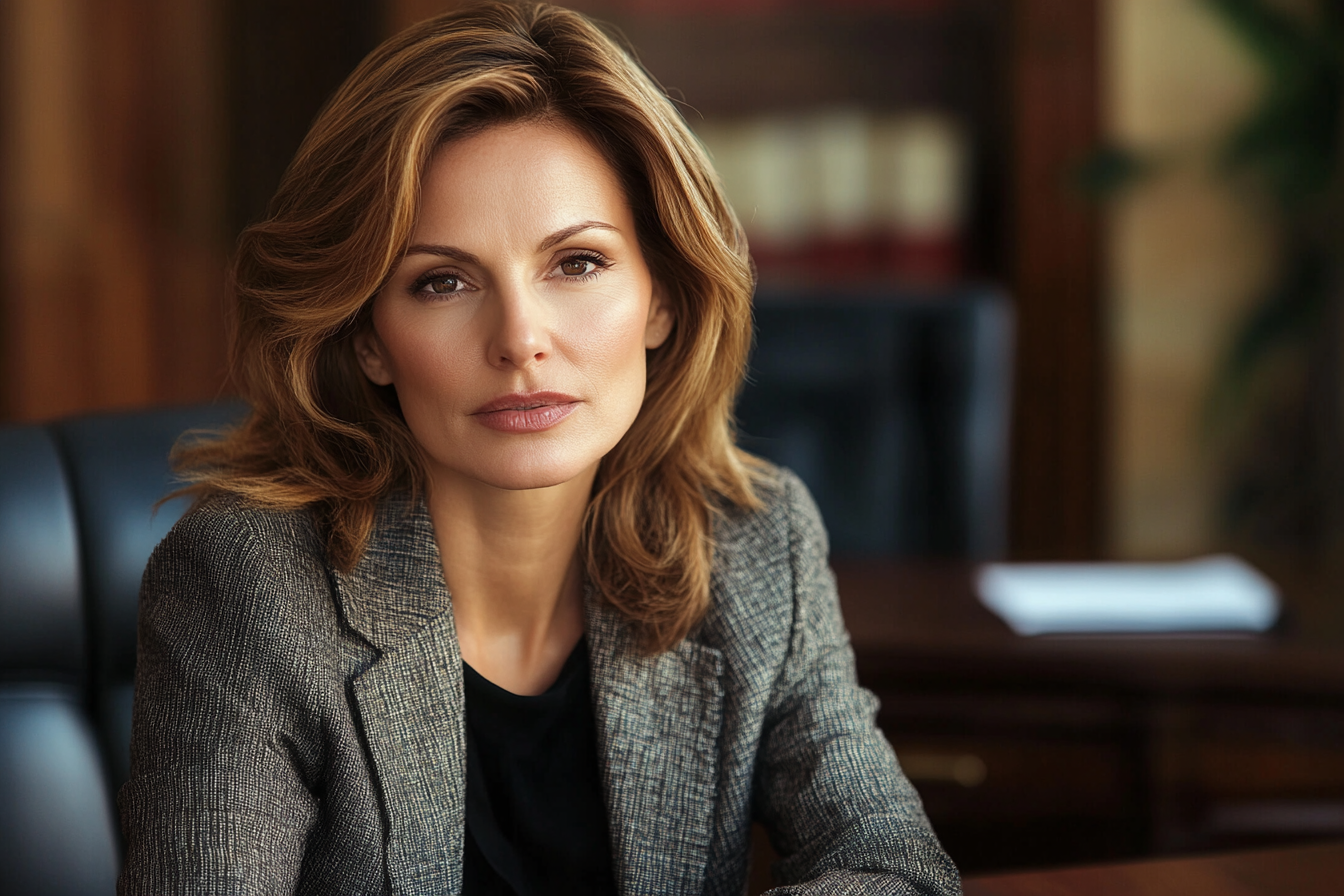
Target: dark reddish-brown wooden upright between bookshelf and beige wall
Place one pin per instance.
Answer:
(1054, 247)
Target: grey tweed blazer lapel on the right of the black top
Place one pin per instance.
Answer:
(658, 730)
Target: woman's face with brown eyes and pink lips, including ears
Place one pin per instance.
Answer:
(515, 327)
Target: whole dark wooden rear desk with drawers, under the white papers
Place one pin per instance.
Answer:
(1061, 750)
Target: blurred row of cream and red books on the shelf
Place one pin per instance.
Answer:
(841, 194)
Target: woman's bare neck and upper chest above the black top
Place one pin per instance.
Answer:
(511, 565)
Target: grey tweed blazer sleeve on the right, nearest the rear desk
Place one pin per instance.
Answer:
(829, 788)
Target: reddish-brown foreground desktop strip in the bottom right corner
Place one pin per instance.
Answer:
(1304, 871)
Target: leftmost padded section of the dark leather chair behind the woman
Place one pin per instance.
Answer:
(57, 825)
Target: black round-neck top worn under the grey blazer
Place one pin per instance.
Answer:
(536, 820)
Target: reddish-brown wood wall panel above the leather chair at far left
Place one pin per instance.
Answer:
(112, 241)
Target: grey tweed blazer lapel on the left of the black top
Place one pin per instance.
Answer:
(411, 699)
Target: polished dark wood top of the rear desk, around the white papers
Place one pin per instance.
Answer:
(924, 621)
